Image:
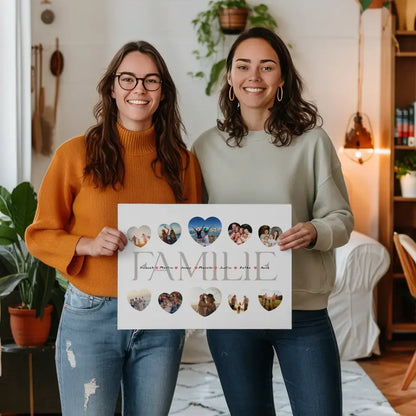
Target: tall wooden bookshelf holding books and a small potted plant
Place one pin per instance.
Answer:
(397, 212)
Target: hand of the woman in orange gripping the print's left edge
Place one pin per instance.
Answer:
(107, 243)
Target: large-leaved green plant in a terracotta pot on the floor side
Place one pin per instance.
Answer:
(37, 283)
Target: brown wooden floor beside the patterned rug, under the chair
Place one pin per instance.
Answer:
(387, 372)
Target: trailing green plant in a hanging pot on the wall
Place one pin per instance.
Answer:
(210, 35)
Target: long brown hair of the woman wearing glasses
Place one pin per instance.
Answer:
(103, 147)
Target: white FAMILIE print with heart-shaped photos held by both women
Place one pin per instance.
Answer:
(180, 269)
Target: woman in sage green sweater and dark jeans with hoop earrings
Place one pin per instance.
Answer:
(269, 149)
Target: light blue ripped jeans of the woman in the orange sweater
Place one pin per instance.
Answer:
(93, 358)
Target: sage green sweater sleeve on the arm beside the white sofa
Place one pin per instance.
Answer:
(331, 212)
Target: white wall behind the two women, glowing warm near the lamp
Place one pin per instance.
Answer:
(324, 38)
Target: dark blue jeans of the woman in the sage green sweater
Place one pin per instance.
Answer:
(309, 361)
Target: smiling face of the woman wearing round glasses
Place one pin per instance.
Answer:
(136, 107)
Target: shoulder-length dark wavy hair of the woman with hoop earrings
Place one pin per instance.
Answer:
(288, 118)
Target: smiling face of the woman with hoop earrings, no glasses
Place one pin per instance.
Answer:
(255, 76)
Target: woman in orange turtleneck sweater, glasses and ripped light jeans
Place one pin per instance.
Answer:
(134, 154)
